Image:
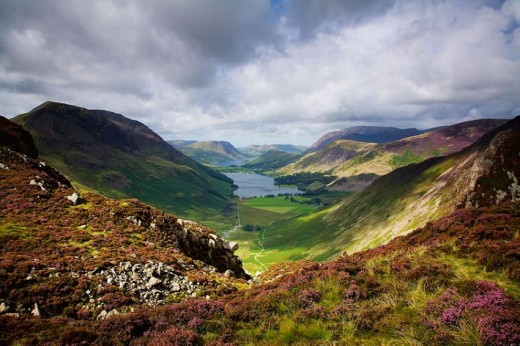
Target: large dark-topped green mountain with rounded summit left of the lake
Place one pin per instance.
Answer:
(120, 158)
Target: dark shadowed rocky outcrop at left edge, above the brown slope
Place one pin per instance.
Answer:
(16, 138)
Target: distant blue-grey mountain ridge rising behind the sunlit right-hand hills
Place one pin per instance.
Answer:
(370, 134)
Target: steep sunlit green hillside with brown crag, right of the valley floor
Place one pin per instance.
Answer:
(407, 198)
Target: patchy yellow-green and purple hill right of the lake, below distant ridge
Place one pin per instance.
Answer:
(347, 159)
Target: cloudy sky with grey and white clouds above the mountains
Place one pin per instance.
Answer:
(262, 72)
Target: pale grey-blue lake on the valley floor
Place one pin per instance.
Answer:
(256, 185)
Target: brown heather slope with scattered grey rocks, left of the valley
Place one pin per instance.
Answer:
(84, 256)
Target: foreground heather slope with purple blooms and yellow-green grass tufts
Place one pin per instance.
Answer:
(454, 282)
